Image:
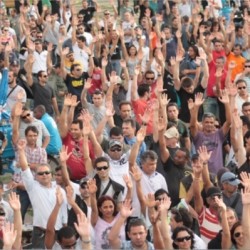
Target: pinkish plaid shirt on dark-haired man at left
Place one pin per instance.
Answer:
(36, 155)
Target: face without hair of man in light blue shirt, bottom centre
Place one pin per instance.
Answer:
(137, 235)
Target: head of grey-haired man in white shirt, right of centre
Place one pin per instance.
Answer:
(148, 162)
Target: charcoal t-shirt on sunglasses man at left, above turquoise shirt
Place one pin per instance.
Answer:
(43, 96)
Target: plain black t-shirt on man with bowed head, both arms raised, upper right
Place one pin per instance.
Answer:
(184, 96)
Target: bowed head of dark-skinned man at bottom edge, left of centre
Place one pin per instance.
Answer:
(66, 238)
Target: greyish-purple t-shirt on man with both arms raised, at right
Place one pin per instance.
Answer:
(213, 142)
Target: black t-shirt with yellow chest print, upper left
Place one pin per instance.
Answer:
(75, 85)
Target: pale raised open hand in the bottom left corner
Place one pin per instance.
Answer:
(9, 235)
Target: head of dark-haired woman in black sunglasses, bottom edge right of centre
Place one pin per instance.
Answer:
(183, 238)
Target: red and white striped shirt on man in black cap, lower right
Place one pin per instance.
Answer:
(209, 224)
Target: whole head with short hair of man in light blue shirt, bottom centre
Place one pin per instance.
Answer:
(137, 232)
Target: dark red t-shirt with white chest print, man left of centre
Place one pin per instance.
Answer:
(76, 161)
